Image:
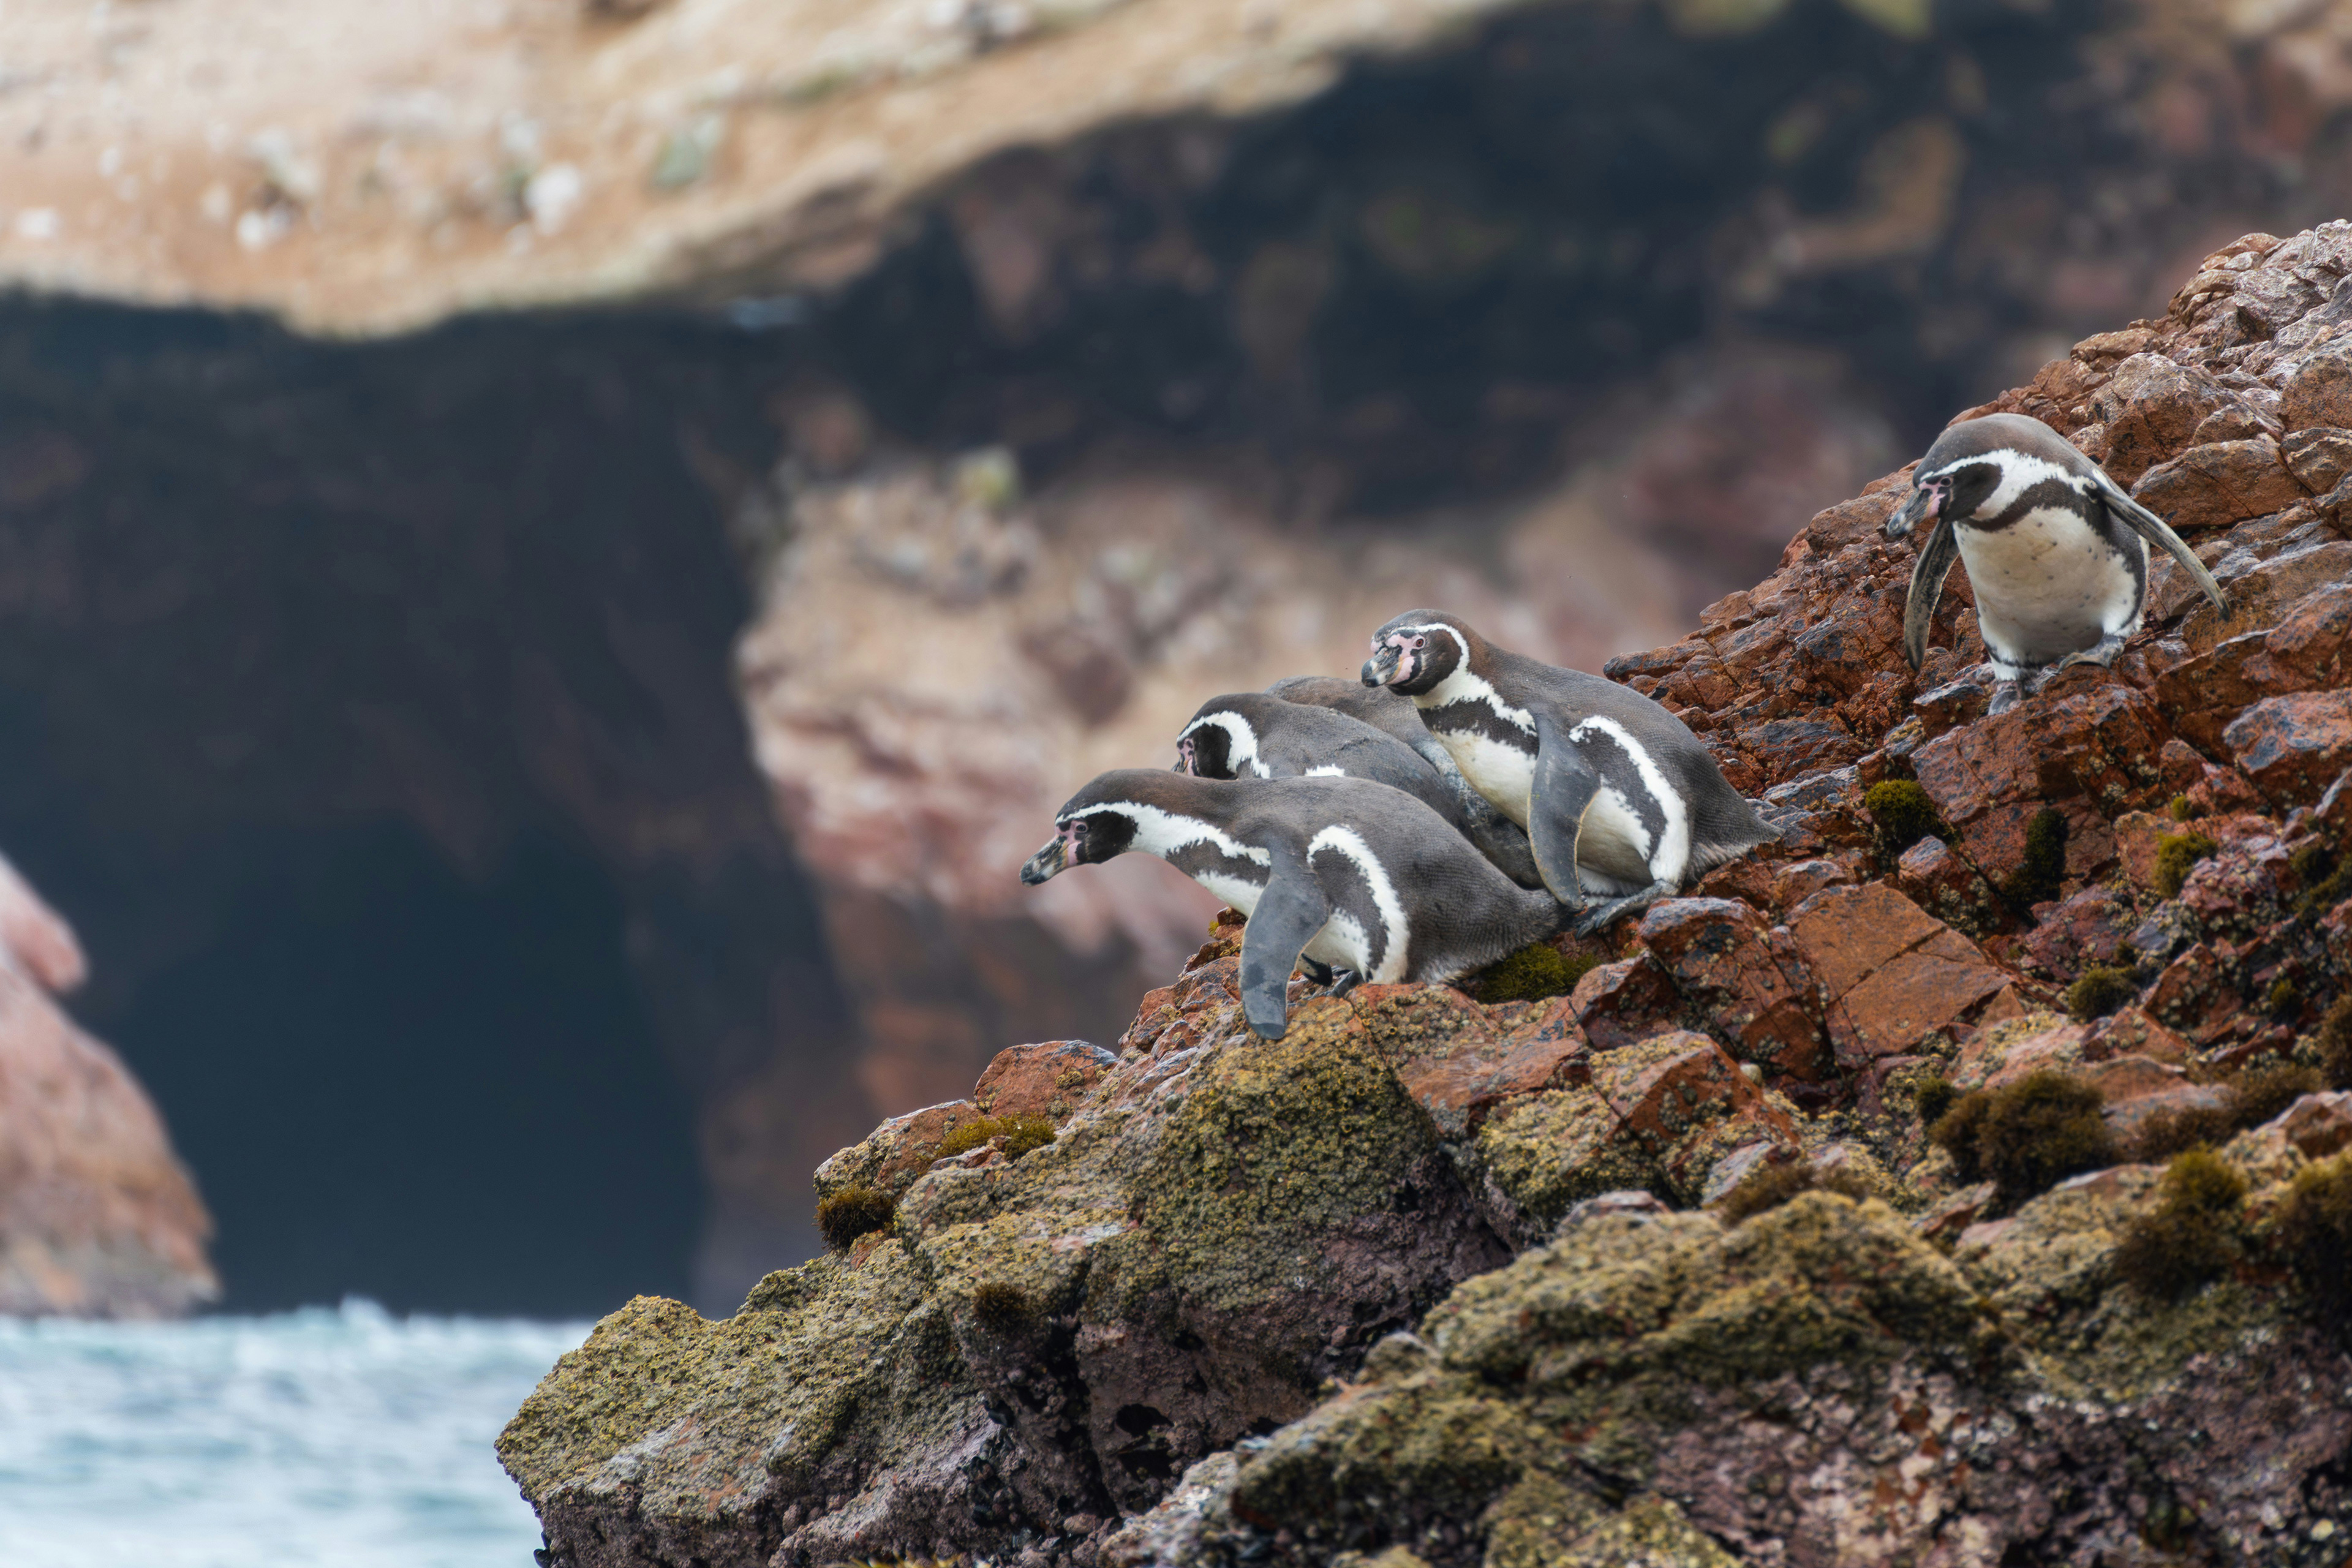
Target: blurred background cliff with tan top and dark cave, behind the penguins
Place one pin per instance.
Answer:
(987, 387)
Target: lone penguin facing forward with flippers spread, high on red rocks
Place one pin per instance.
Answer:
(2057, 551)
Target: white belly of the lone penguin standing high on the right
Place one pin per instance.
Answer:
(2047, 584)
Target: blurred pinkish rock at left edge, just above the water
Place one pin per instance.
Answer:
(98, 1217)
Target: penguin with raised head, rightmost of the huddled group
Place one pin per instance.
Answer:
(1617, 796)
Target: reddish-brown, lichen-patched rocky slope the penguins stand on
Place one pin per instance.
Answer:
(1669, 1268)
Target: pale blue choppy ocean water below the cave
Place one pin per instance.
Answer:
(335, 1438)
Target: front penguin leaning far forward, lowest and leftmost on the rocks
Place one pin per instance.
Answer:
(1339, 871)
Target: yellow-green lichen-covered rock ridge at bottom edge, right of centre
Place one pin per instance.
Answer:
(1577, 1360)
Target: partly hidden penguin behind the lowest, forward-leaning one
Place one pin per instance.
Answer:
(1252, 735)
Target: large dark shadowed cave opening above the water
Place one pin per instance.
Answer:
(370, 713)
